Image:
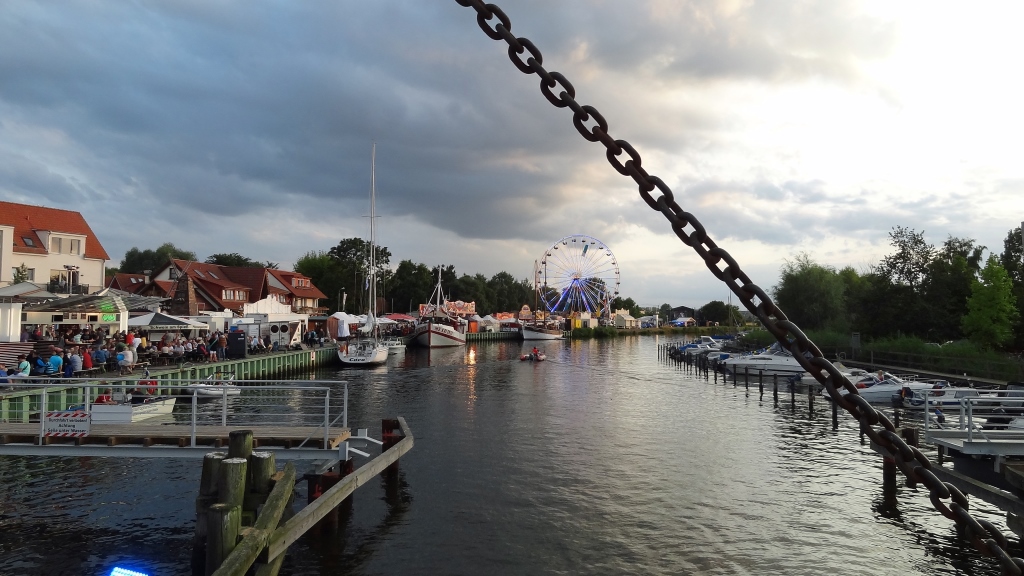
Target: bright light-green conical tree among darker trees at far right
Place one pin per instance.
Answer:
(992, 313)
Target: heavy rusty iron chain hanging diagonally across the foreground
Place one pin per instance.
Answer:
(558, 90)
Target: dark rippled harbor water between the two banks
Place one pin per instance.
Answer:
(601, 461)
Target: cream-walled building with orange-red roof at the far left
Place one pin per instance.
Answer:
(57, 248)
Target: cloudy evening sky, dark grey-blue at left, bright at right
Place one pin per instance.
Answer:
(786, 128)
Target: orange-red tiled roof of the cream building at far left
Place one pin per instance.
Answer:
(27, 220)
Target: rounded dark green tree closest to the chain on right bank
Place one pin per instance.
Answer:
(812, 295)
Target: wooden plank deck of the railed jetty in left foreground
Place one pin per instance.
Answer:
(181, 436)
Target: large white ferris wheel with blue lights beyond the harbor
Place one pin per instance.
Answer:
(578, 274)
